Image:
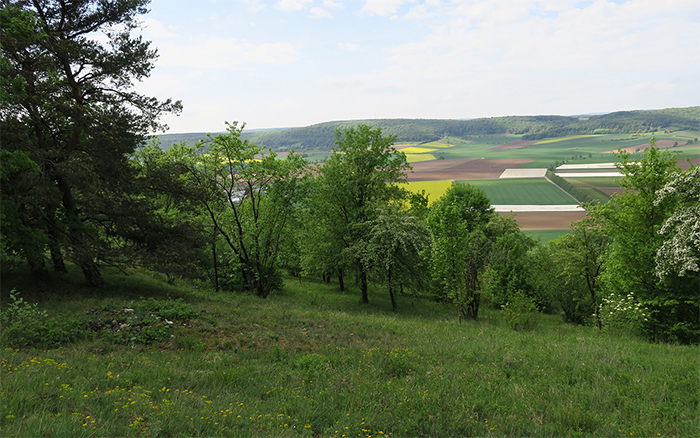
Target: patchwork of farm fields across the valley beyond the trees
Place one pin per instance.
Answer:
(480, 161)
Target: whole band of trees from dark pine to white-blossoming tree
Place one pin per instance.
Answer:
(80, 184)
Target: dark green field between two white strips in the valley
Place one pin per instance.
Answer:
(522, 191)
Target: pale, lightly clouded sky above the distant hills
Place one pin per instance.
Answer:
(291, 63)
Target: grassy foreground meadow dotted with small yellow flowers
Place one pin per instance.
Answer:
(313, 361)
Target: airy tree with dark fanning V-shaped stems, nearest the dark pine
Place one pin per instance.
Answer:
(248, 194)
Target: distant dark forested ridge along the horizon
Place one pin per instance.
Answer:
(321, 137)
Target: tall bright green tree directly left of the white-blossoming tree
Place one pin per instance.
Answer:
(634, 220)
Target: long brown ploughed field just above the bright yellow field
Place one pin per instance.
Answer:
(464, 168)
